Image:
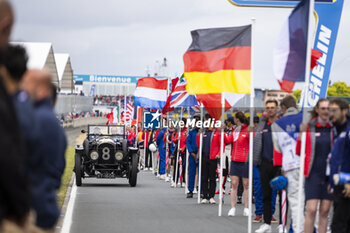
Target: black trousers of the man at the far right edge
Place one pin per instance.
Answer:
(341, 216)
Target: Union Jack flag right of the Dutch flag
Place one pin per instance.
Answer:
(180, 97)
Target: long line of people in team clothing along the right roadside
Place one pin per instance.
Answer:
(276, 150)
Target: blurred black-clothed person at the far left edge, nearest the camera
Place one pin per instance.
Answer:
(14, 186)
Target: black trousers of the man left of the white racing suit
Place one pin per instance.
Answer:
(267, 172)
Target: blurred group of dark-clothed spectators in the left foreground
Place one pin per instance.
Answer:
(34, 144)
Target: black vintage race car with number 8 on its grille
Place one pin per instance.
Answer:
(105, 154)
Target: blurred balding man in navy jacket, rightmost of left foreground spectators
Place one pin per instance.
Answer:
(47, 162)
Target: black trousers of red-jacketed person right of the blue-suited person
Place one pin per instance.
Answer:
(208, 176)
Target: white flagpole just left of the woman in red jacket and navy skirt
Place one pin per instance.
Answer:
(221, 153)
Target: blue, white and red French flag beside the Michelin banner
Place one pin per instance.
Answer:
(290, 52)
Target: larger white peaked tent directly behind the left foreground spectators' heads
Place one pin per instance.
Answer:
(41, 56)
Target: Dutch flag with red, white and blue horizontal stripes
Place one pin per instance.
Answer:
(151, 92)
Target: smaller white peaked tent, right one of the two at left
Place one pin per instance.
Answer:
(65, 72)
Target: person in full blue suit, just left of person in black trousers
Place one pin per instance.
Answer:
(191, 142)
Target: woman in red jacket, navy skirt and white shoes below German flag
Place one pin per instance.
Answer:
(239, 161)
